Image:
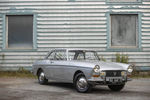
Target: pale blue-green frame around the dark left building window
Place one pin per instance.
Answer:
(5, 33)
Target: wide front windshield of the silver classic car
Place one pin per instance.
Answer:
(82, 55)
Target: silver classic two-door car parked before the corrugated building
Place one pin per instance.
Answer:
(83, 68)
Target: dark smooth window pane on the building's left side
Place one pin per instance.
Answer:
(19, 31)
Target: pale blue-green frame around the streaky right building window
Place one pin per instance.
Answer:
(124, 48)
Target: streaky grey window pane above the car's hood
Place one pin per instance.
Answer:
(124, 30)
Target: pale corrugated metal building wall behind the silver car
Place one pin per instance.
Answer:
(73, 24)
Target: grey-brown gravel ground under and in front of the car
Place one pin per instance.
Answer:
(29, 89)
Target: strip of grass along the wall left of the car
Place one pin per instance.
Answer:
(20, 73)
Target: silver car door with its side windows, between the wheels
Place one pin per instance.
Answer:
(55, 65)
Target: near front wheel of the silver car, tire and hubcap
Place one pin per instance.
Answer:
(84, 86)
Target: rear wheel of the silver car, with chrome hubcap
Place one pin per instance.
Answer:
(41, 78)
